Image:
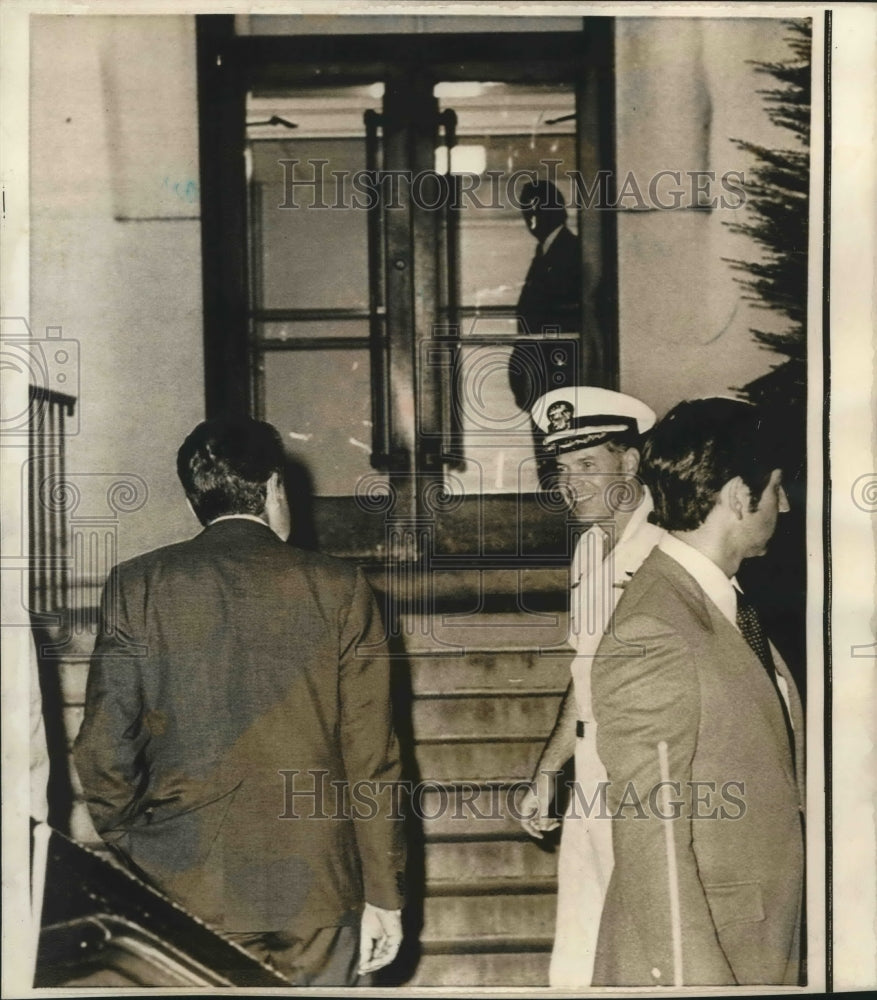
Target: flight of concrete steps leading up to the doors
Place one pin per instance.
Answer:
(486, 682)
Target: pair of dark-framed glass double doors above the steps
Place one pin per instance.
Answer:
(390, 259)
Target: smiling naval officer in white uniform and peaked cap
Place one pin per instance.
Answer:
(596, 435)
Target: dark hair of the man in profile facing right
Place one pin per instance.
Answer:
(699, 446)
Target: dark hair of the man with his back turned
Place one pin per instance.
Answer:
(225, 464)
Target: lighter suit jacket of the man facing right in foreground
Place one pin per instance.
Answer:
(675, 669)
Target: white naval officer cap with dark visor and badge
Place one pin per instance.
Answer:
(584, 416)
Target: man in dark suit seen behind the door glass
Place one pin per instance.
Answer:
(549, 306)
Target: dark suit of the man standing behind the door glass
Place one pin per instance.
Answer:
(550, 299)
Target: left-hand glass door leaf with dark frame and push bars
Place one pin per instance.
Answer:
(343, 283)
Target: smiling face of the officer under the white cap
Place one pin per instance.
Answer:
(601, 481)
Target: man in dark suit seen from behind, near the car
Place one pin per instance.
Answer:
(237, 710)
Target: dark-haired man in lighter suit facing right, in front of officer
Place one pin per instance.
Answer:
(700, 727)
